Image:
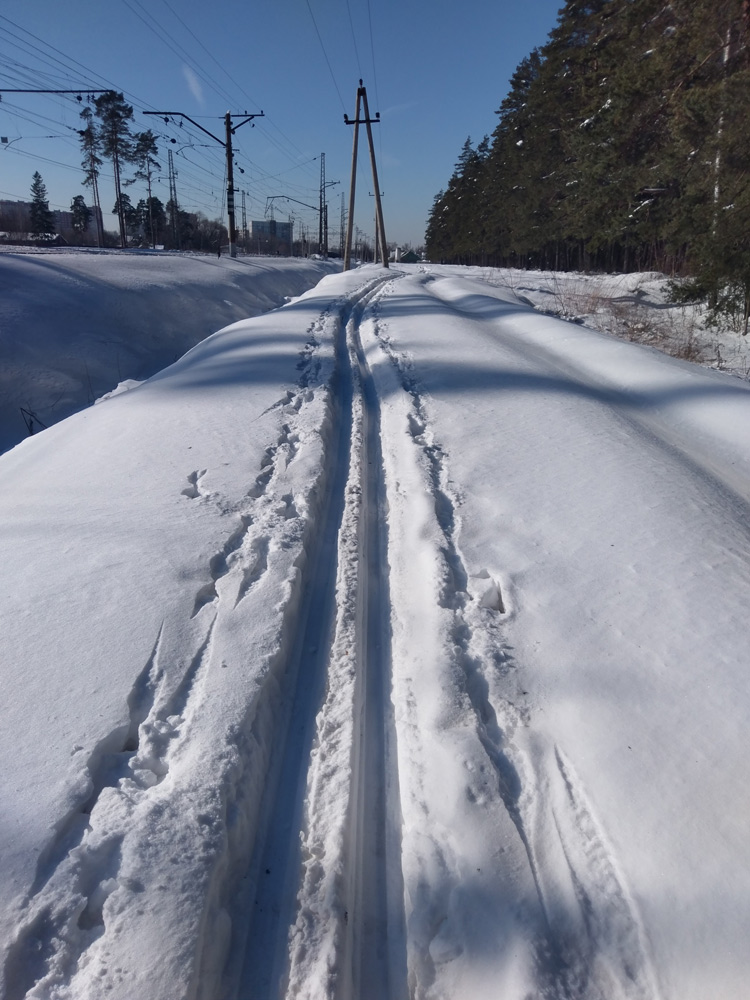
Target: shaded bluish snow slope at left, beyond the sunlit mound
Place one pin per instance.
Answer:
(75, 323)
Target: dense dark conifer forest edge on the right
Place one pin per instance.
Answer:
(622, 145)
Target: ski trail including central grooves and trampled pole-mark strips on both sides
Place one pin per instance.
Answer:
(306, 879)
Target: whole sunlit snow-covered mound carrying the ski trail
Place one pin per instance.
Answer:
(390, 644)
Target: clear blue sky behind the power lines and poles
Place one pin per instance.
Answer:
(436, 70)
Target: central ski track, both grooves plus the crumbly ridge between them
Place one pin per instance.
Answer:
(309, 919)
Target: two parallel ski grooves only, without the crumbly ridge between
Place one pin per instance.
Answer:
(258, 966)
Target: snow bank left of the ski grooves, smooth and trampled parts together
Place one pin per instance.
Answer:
(152, 583)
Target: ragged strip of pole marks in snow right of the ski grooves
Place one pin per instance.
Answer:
(586, 941)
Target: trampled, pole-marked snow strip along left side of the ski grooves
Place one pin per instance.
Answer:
(143, 775)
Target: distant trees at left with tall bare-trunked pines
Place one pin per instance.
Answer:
(107, 133)
